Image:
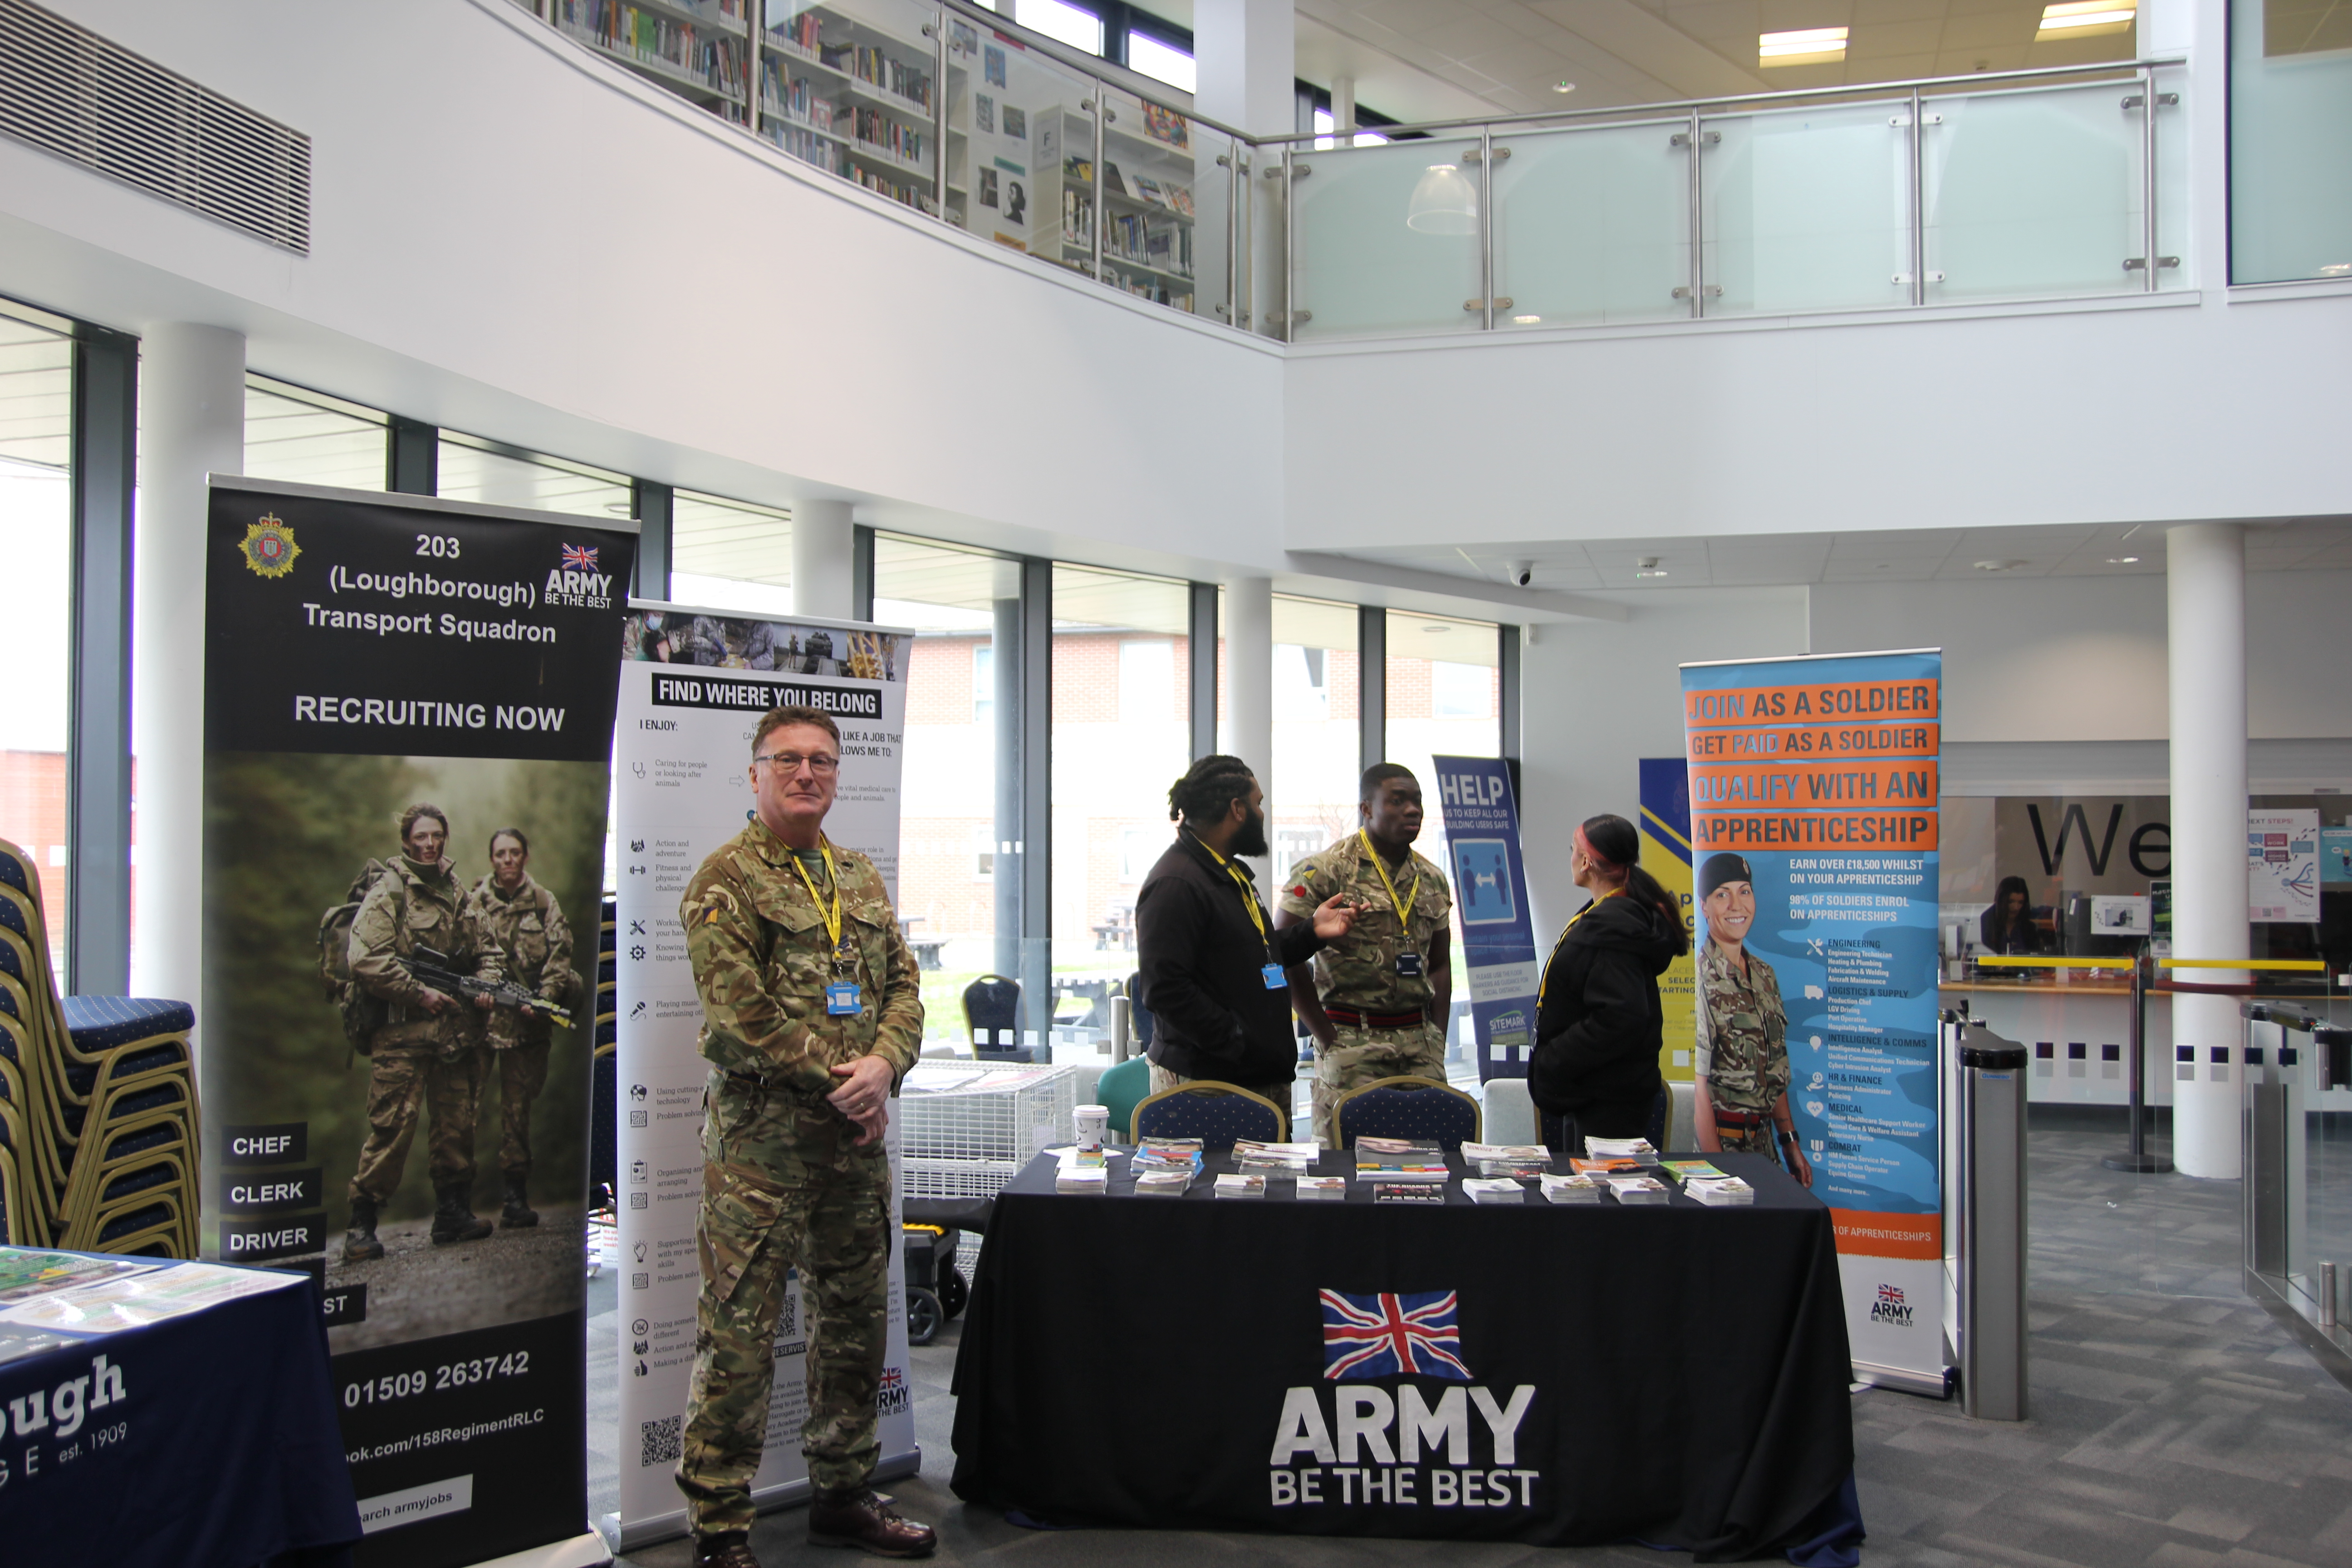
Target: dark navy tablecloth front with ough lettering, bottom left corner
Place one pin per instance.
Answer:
(215, 1445)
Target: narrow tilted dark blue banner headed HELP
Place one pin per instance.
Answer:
(1490, 902)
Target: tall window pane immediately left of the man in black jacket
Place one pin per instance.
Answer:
(1121, 739)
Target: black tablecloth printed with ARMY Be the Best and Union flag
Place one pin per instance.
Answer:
(1163, 1362)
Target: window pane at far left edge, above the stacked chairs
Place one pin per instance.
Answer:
(36, 542)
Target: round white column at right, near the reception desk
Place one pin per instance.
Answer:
(2207, 629)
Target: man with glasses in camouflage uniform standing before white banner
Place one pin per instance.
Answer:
(813, 1014)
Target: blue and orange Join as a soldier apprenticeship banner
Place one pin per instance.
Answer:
(1819, 779)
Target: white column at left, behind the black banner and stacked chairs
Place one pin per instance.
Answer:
(192, 422)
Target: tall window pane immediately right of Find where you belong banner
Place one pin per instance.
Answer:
(958, 822)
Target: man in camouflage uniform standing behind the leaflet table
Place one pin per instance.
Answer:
(1379, 998)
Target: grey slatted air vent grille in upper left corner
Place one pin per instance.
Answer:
(76, 95)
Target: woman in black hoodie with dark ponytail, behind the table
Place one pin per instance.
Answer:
(1598, 1021)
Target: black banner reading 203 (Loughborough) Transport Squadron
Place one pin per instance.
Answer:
(408, 735)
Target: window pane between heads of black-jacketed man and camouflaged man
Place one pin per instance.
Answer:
(1318, 739)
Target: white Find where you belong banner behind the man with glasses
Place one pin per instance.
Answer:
(693, 688)
